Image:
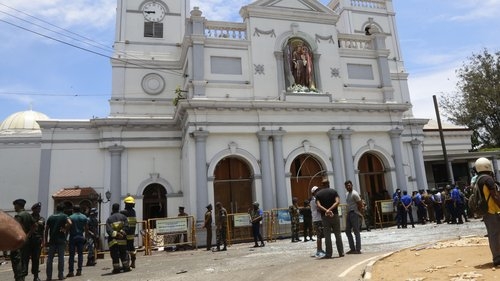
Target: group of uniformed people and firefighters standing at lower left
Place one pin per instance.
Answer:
(74, 230)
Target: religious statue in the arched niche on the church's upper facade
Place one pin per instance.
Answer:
(299, 63)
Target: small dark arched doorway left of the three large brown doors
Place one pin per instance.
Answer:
(154, 202)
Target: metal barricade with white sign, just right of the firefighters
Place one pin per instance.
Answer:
(169, 232)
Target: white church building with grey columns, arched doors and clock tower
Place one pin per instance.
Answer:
(205, 111)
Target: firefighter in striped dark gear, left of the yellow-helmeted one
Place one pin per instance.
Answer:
(116, 227)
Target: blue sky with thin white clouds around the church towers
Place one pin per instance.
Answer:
(64, 81)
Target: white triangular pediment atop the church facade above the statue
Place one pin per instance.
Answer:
(300, 10)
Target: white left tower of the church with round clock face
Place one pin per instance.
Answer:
(147, 64)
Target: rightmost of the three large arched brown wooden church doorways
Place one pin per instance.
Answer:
(371, 175)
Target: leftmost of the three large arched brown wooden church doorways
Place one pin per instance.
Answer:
(233, 185)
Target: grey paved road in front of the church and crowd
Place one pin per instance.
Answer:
(279, 260)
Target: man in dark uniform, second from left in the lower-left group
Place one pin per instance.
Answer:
(35, 240)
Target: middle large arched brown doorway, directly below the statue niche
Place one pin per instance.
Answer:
(306, 171)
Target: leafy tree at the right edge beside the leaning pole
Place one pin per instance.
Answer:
(477, 103)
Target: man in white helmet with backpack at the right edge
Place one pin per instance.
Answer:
(490, 192)
